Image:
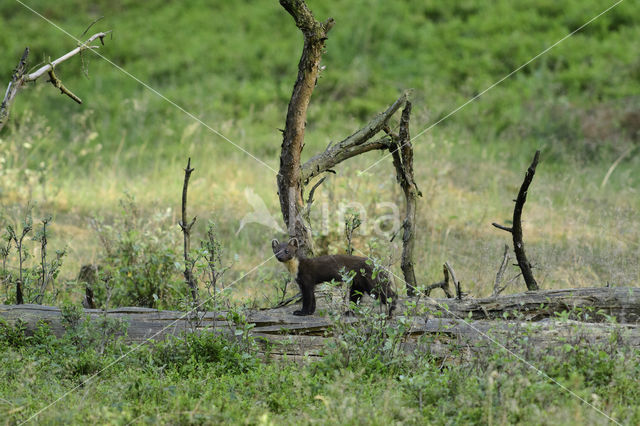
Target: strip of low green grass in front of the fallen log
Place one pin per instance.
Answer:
(208, 379)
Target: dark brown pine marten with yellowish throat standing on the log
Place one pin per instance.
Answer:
(308, 272)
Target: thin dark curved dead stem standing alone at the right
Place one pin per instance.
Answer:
(516, 229)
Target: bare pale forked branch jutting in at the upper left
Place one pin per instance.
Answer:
(20, 77)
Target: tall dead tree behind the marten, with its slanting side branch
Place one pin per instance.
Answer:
(293, 175)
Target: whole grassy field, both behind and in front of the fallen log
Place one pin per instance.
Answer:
(110, 171)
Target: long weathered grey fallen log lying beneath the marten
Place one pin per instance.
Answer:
(541, 319)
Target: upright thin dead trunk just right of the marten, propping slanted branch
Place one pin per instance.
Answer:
(402, 152)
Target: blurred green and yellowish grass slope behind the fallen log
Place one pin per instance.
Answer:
(233, 65)
